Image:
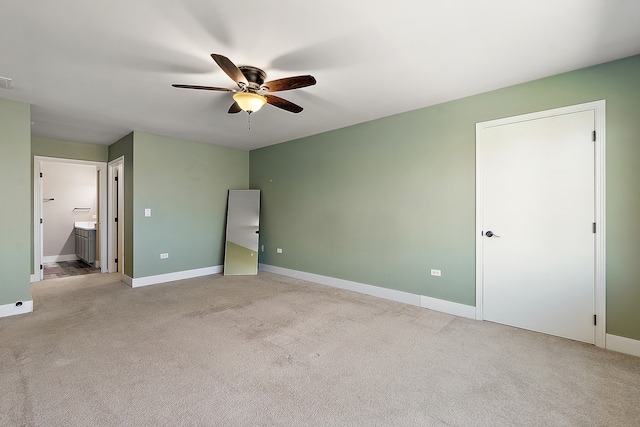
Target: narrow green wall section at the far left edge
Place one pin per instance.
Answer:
(15, 221)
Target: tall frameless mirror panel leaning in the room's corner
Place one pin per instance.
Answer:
(243, 221)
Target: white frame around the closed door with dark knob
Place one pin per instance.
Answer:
(599, 200)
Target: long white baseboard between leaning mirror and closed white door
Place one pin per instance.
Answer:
(376, 291)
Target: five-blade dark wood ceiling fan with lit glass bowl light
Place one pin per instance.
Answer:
(253, 90)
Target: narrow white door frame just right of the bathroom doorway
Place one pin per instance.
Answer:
(116, 233)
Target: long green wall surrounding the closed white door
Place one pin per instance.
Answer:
(383, 202)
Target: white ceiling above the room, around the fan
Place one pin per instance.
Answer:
(93, 71)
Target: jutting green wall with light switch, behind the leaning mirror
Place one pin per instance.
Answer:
(185, 185)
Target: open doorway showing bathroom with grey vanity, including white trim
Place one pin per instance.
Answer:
(69, 198)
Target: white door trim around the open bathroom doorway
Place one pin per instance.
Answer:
(101, 167)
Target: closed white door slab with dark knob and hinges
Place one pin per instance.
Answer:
(538, 213)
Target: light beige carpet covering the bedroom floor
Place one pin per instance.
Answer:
(270, 351)
